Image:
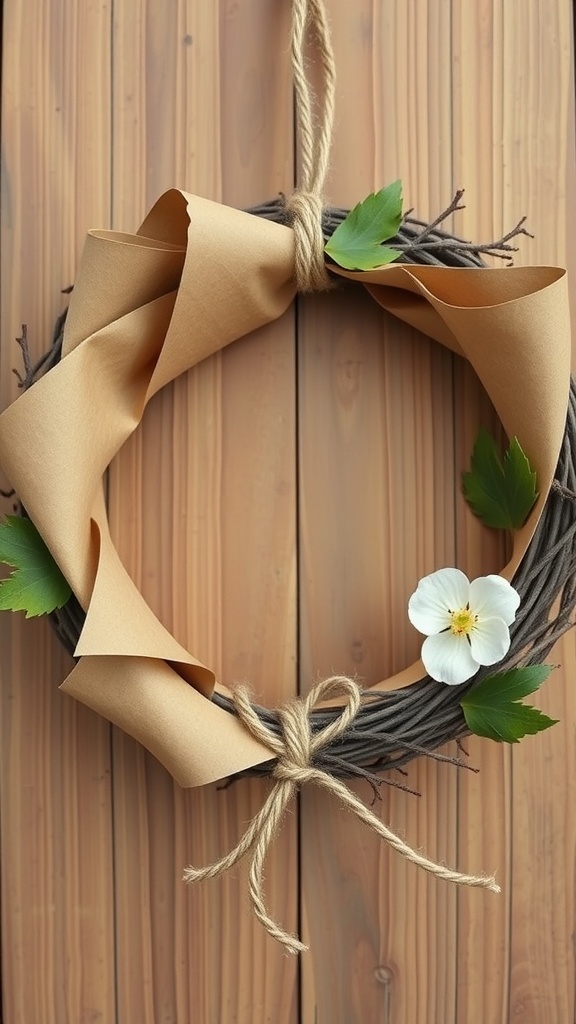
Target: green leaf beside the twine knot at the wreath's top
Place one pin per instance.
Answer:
(357, 243)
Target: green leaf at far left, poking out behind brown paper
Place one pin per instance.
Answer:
(36, 585)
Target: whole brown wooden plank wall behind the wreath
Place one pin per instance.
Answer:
(277, 508)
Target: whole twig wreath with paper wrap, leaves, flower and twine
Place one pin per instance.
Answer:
(196, 277)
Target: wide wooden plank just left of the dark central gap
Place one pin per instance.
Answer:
(203, 101)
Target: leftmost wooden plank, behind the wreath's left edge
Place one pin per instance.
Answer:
(58, 938)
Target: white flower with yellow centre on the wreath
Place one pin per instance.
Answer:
(466, 624)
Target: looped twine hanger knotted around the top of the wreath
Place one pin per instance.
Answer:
(305, 205)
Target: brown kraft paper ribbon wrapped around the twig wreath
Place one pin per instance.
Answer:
(148, 307)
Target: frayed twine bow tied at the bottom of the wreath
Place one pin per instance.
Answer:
(296, 751)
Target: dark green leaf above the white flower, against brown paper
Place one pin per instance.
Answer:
(501, 493)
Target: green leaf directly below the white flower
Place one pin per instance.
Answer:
(492, 709)
